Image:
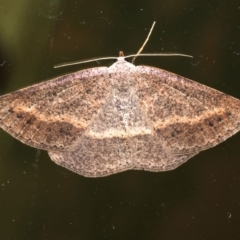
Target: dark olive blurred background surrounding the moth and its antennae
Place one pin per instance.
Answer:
(40, 200)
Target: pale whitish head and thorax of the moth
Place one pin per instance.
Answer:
(122, 74)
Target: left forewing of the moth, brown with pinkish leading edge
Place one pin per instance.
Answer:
(52, 114)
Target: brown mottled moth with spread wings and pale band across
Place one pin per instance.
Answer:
(101, 121)
